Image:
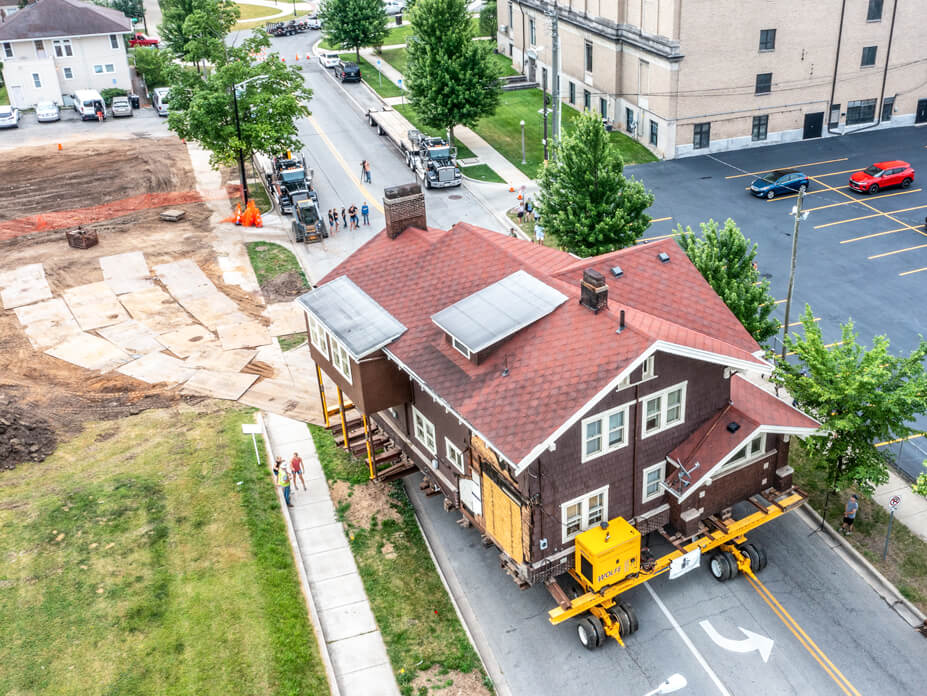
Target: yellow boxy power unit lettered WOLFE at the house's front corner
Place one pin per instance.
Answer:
(608, 553)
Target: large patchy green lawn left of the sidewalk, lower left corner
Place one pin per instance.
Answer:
(148, 555)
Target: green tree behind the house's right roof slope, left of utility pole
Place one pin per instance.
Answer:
(727, 261)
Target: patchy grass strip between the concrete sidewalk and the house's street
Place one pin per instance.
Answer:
(426, 643)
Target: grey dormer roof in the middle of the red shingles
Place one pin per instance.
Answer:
(498, 310)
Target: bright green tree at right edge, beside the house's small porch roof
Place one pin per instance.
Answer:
(859, 396)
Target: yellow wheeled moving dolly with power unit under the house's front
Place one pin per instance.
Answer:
(610, 560)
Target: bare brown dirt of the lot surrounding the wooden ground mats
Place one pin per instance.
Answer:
(52, 396)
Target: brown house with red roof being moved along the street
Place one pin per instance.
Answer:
(541, 393)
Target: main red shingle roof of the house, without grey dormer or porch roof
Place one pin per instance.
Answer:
(559, 363)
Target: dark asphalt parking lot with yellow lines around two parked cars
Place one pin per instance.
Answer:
(859, 256)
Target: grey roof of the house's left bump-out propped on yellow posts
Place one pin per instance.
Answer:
(352, 316)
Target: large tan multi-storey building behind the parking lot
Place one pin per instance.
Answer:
(695, 76)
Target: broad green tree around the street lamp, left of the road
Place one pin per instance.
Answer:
(203, 108)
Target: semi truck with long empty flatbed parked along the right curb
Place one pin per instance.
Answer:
(432, 159)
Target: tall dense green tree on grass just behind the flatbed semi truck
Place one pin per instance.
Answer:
(451, 78)
